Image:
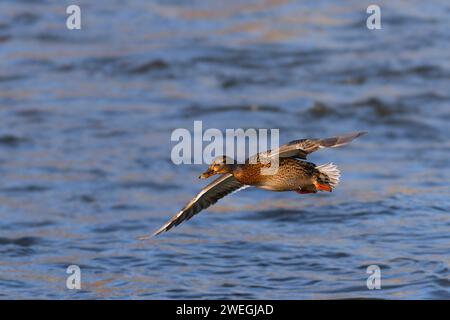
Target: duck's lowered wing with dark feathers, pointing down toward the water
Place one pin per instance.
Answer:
(209, 195)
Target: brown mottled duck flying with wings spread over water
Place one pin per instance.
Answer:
(293, 173)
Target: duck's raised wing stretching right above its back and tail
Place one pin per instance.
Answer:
(301, 148)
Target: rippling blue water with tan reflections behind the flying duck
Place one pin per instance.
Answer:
(86, 118)
